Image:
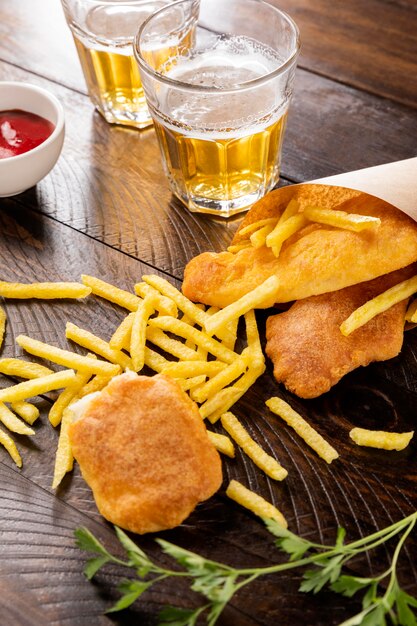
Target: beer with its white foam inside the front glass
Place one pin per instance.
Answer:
(221, 153)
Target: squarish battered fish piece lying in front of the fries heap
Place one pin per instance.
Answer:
(144, 451)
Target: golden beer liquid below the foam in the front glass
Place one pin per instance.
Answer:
(206, 169)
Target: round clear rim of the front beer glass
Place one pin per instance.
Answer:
(213, 90)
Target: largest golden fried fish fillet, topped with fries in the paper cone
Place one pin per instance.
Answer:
(315, 260)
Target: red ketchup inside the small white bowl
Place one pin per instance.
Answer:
(21, 131)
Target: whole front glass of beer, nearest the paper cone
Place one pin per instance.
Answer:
(220, 103)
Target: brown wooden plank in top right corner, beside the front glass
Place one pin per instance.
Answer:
(370, 46)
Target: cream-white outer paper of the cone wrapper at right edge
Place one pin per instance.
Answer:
(395, 183)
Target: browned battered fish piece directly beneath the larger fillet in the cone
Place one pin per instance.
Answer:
(309, 352)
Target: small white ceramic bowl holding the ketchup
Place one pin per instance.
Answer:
(18, 173)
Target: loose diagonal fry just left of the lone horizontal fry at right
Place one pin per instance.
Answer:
(303, 429)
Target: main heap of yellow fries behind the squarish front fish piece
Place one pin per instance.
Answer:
(163, 331)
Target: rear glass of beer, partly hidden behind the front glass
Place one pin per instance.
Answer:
(103, 32)
